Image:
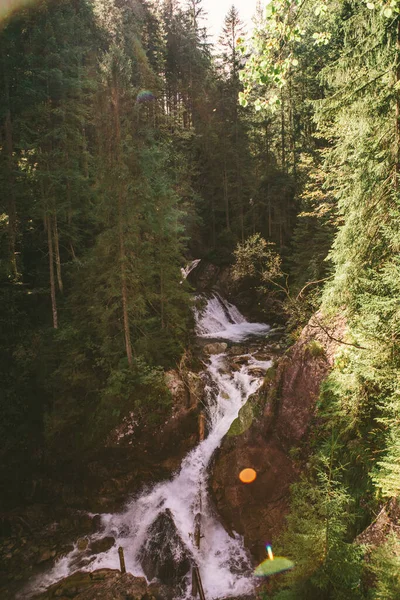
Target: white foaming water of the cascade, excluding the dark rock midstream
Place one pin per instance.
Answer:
(222, 560)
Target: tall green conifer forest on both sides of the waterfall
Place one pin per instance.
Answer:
(130, 145)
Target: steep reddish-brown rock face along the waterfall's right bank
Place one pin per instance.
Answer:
(274, 422)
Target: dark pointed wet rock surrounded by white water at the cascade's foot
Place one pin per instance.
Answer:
(163, 555)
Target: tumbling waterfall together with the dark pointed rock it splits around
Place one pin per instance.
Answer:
(157, 528)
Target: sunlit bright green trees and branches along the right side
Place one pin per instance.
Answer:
(352, 187)
